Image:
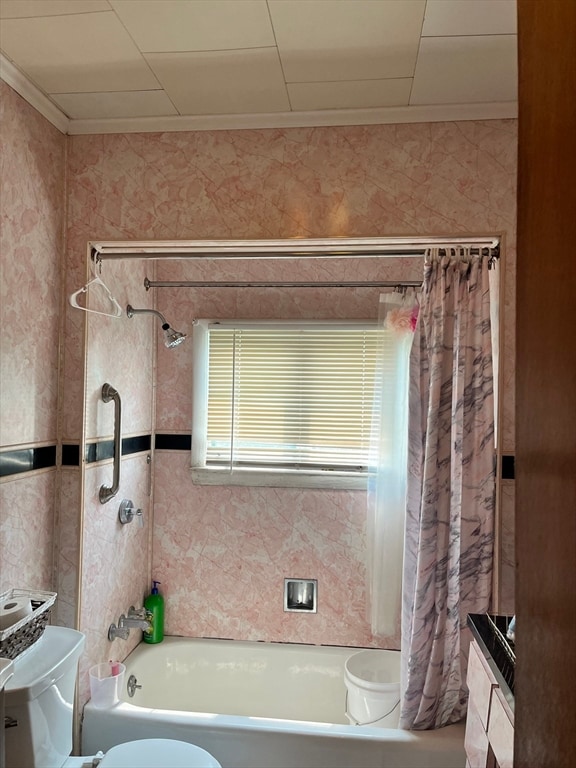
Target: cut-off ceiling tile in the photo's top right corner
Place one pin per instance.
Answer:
(469, 17)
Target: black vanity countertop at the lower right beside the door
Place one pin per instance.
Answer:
(489, 631)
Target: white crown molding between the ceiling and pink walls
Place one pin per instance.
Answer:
(432, 113)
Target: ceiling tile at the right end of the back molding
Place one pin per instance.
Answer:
(452, 70)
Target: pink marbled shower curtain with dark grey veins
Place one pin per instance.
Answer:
(451, 487)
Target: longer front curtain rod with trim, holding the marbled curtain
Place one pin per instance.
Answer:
(323, 248)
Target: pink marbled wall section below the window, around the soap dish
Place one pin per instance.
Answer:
(222, 556)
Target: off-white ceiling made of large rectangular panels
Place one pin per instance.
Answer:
(104, 65)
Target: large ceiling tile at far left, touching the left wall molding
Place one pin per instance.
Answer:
(81, 53)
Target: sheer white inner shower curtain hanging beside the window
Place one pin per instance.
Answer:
(386, 501)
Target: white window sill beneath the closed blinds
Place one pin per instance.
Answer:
(279, 479)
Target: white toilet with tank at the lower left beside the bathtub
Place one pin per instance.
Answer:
(39, 706)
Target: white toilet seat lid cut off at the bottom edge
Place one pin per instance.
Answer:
(158, 753)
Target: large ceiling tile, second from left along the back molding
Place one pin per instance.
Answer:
(221, 82)
